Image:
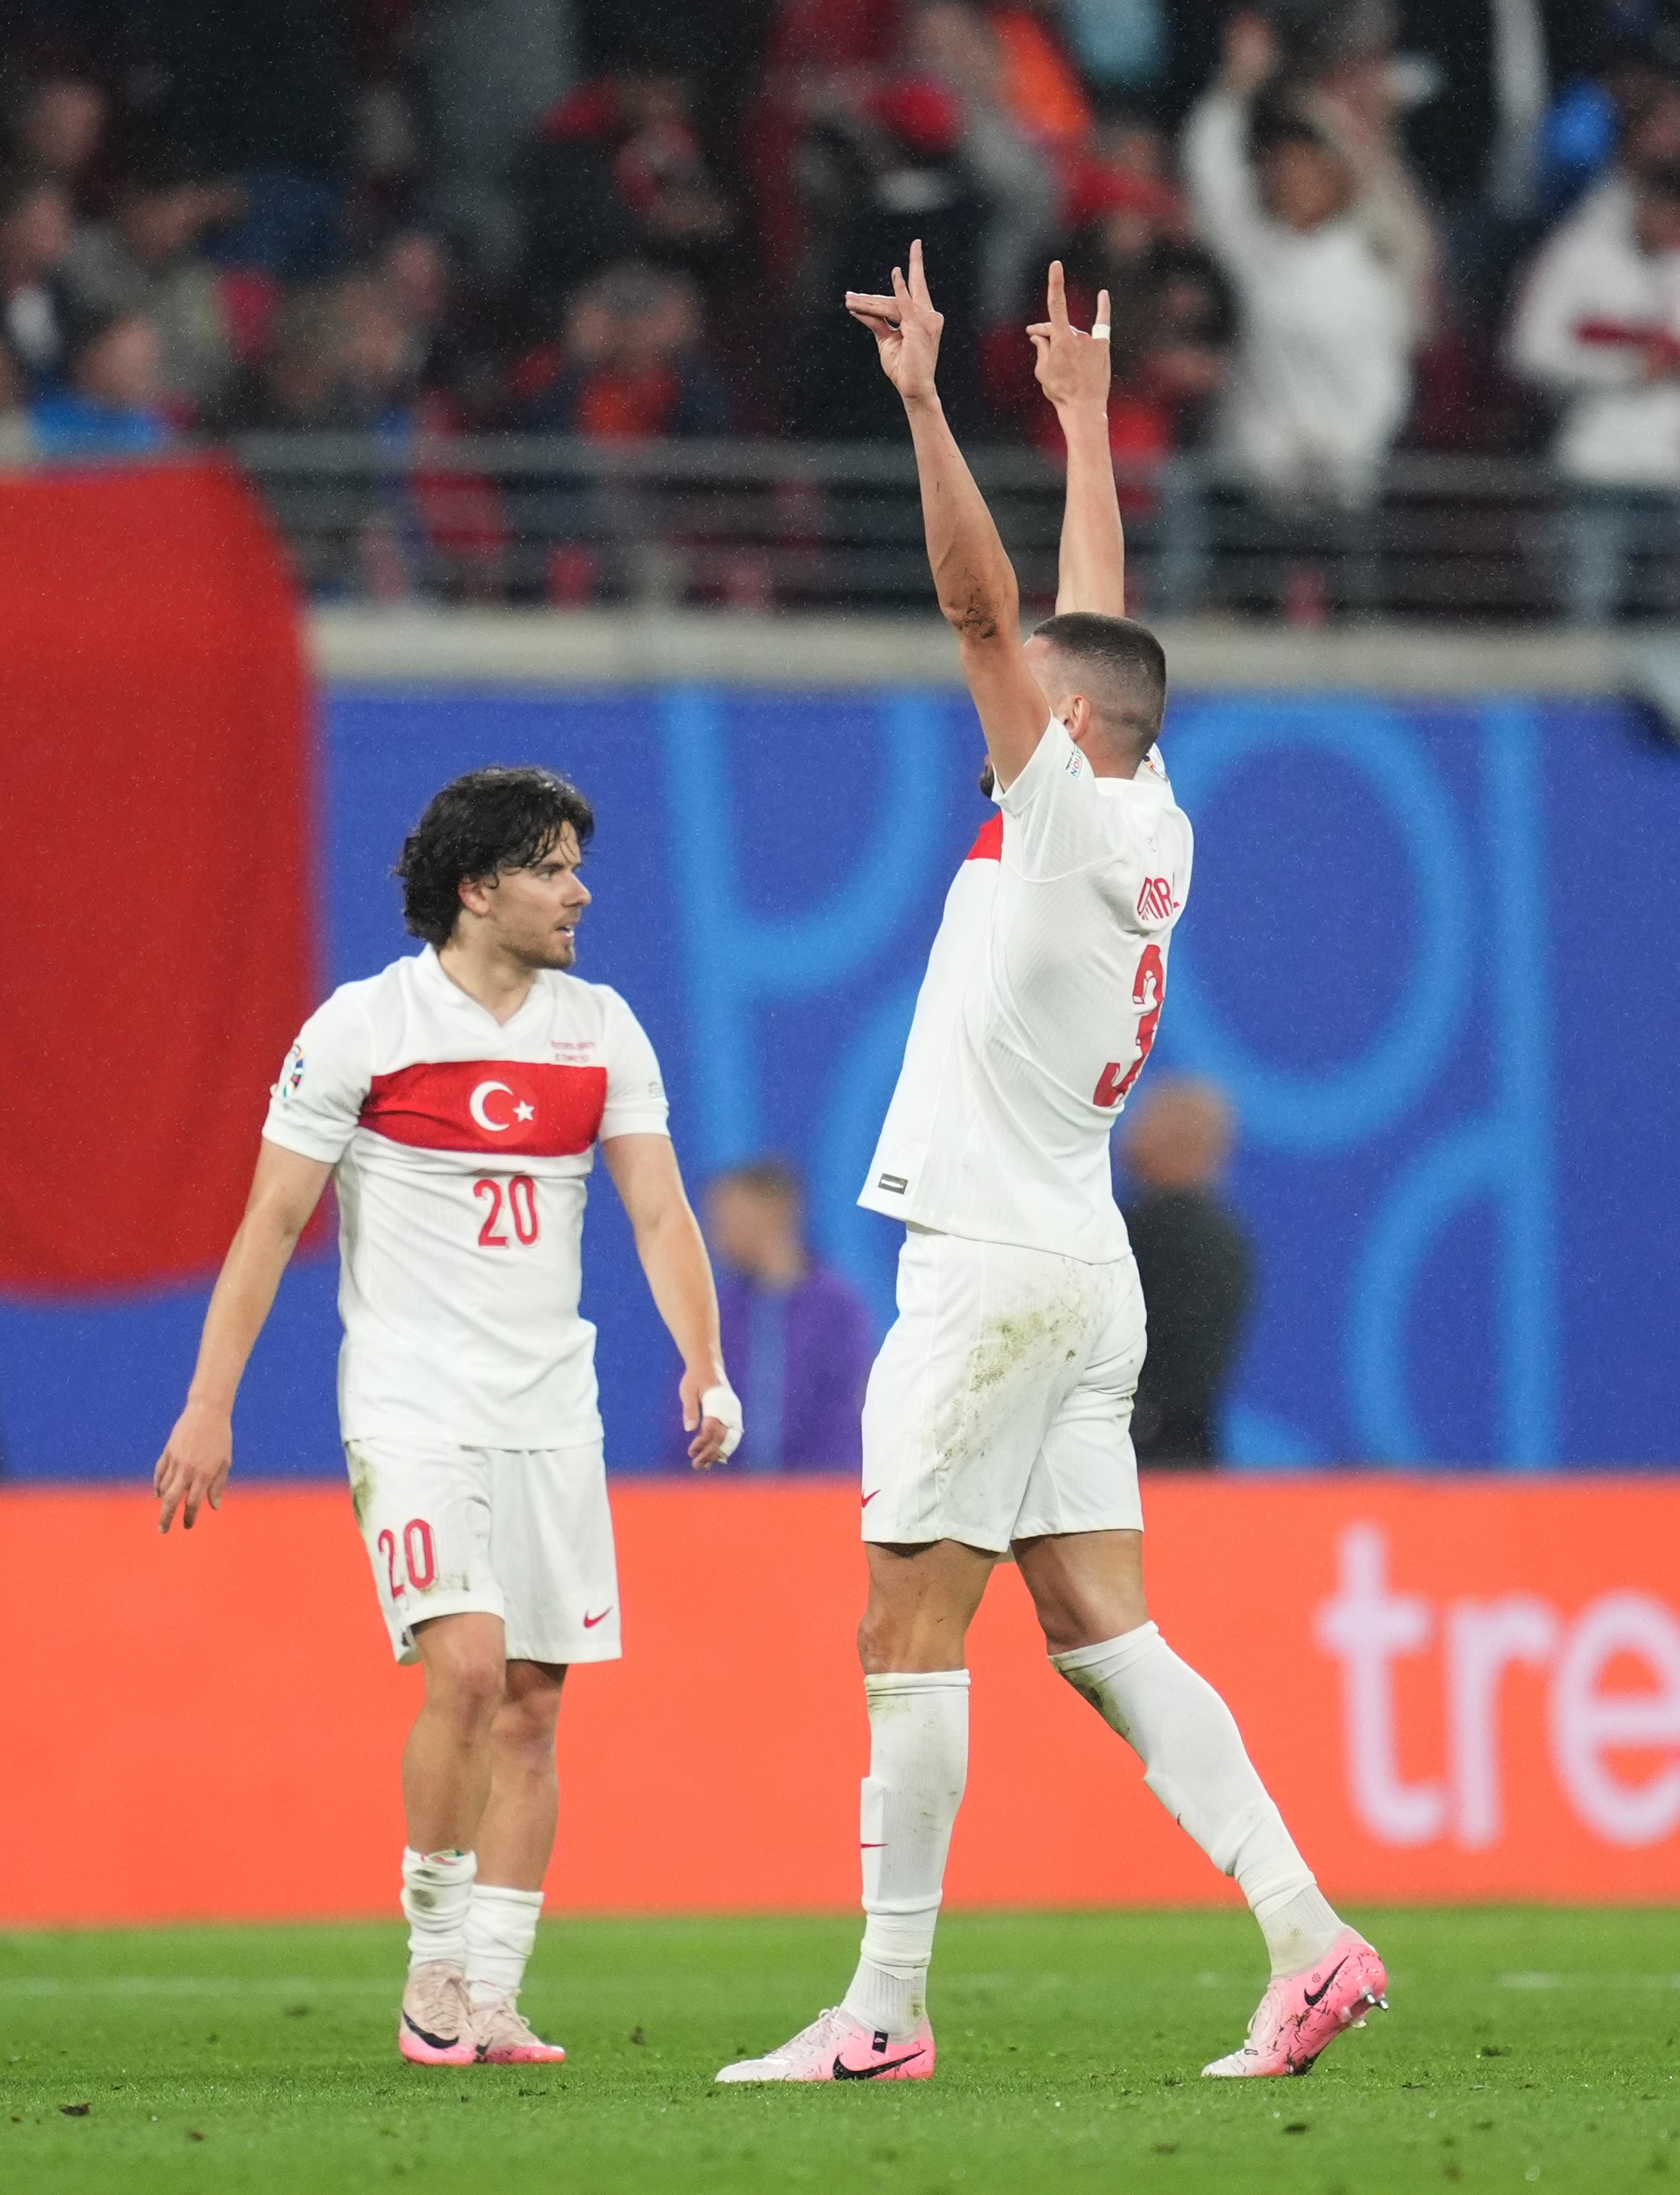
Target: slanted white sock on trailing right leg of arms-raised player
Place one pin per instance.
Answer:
(1198, 1768)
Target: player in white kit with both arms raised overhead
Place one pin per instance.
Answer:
(998, 1406)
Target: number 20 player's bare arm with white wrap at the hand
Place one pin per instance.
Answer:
(680, 1279)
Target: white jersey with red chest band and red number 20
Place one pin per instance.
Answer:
(462, 1151)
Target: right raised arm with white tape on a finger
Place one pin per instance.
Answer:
(1073, 370)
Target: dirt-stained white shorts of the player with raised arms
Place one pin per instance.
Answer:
(1000, 1404)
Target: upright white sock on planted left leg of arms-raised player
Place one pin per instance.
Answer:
(919, 1764)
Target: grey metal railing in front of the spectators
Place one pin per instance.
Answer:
(511, 519)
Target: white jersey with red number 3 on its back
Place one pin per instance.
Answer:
(1038, 1011)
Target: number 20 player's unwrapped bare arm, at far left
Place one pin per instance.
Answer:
(199, 1454)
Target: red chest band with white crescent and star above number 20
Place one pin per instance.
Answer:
(491, 1105)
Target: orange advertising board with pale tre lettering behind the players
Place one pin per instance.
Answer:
(1455, 1689)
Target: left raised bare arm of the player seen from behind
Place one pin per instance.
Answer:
(972, 570)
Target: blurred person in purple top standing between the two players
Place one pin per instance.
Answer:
(798, 1336)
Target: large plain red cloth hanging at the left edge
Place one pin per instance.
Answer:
(155, 840)
